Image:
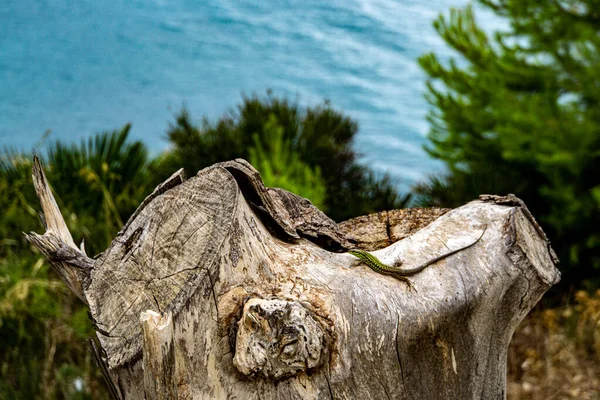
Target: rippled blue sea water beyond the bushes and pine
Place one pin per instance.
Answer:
(77, 67)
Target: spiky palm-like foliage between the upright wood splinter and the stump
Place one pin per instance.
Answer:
(99, 183)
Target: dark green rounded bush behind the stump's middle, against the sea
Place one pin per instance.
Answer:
(320, 136)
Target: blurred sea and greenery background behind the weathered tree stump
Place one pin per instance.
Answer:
(360, 106)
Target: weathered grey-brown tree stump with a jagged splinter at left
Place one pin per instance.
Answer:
(219, 287)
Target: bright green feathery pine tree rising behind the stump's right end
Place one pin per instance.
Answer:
(520, 113)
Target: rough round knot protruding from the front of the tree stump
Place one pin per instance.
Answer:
(278, 339)
